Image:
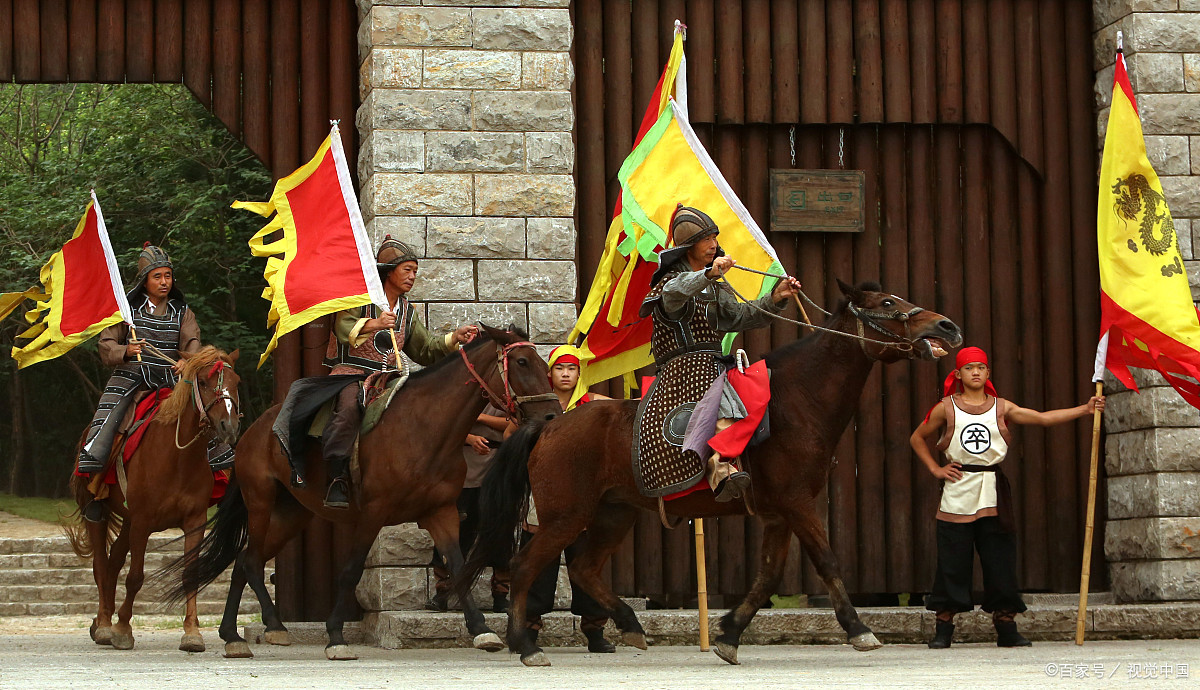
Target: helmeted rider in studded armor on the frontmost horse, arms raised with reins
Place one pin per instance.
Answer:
(692, 313)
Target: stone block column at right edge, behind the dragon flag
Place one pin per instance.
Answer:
(1153, 458)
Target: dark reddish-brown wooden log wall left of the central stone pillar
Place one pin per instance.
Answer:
(275, 73)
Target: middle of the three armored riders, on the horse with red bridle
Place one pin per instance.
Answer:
(361, 344)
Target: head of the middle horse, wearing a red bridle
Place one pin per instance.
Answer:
(520, 376)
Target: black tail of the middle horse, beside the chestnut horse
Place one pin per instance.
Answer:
(225, 537)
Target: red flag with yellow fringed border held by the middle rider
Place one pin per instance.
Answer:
(323, 262)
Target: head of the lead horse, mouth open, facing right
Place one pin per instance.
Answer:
(893, 328)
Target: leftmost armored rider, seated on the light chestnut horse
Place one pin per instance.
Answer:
(165, 322)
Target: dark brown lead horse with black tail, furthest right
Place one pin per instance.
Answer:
(580, 473)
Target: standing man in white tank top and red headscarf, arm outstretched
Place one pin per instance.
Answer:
(971, 429)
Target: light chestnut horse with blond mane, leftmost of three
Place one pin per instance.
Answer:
(166, 488)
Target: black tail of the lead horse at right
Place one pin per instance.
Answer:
(502, 499)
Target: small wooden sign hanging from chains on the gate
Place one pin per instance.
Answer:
(817, 201)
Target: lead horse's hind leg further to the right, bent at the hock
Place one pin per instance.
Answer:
(611, 524)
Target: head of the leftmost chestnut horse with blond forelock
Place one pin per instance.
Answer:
(214, 388)
